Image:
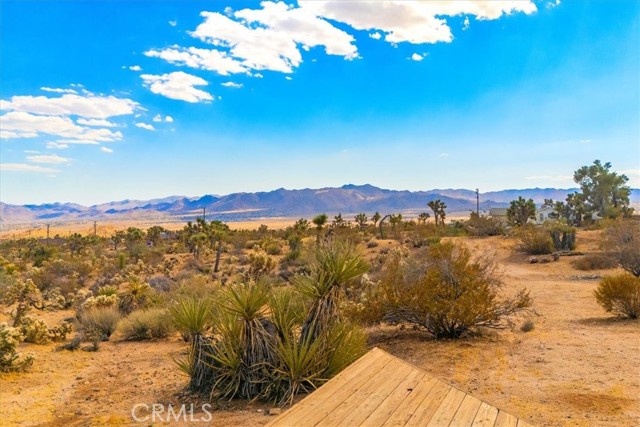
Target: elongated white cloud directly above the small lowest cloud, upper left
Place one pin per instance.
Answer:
(203, 59)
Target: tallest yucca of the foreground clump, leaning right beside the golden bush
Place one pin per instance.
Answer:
(333, 267)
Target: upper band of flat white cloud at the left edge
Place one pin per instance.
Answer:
(91, 106)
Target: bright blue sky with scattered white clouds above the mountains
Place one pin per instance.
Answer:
(111, 100)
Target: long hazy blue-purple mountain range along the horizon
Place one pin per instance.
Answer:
(347, 199)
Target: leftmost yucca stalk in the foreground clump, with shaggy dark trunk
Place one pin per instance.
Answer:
(194, 318)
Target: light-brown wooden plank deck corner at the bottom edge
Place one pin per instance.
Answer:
(382, 390)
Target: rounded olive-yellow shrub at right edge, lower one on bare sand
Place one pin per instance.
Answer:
(620, 295)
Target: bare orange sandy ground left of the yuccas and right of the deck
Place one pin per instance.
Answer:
(577, 367)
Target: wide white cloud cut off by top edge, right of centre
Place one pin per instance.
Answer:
(411, 21)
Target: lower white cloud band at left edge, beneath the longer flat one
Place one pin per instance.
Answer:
(16, 124)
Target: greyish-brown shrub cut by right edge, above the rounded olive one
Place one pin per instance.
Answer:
(622, 241)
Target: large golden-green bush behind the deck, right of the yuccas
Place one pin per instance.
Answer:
(444, 291)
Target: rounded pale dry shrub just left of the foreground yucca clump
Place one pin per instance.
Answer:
(146, 324)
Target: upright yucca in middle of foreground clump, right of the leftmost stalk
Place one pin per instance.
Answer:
(246, 347)
